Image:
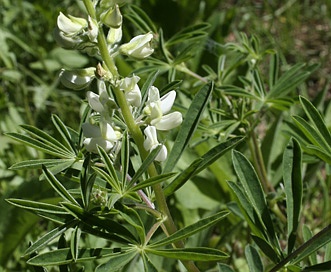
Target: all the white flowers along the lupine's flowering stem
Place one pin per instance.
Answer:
(100, 129)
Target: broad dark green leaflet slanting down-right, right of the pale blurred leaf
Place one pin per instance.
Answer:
(253, 191)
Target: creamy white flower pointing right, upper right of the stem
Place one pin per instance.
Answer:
(139, 47)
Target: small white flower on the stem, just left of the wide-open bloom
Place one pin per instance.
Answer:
(131, 90)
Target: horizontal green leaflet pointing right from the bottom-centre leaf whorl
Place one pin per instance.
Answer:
(201, 254)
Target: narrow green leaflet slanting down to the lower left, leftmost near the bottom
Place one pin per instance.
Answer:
(48, 237)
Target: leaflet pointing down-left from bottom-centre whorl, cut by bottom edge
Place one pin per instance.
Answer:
(117, 261)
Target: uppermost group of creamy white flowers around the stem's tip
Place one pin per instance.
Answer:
(82, 34)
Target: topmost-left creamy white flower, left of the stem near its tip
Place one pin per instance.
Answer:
(71, 25)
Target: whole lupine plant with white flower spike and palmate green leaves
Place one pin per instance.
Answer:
(142, 139)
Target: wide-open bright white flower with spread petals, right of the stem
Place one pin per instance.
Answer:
(157, 110)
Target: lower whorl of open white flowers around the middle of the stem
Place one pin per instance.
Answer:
(155, 116)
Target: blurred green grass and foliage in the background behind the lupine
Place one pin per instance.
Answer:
(30, 92)
